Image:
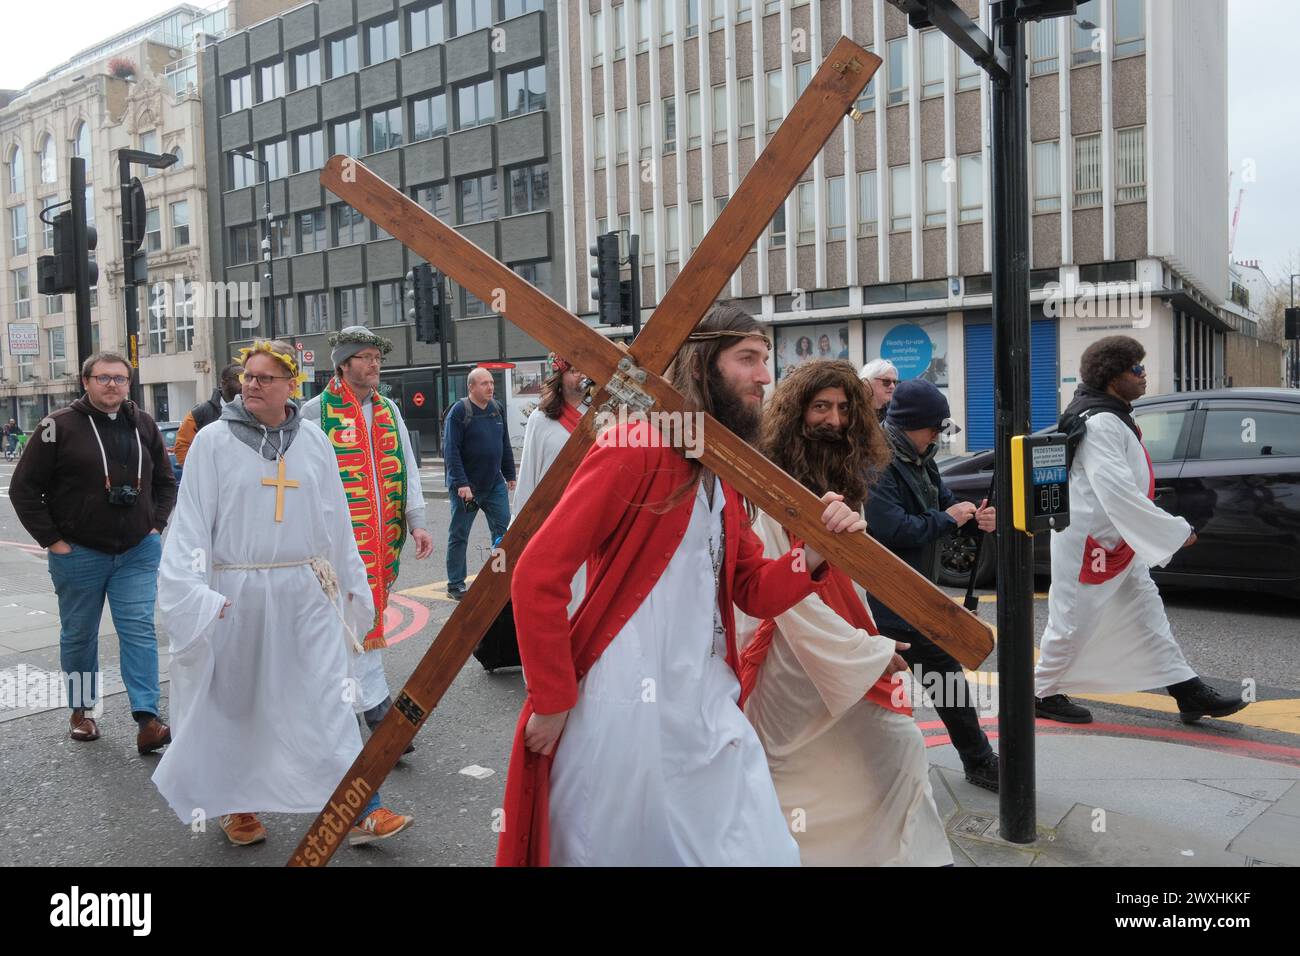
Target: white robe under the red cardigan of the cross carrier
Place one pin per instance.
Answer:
(657, 765)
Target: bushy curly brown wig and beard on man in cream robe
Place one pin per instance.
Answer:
(848, 465)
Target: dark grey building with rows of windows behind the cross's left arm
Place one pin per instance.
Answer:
(445, 101)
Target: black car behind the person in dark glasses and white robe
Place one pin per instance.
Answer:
(1227, 460)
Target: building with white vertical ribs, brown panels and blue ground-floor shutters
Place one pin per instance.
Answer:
(885, 246)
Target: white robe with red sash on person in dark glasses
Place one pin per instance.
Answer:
(1111, 638)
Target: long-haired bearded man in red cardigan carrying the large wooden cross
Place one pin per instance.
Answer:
(657, 764)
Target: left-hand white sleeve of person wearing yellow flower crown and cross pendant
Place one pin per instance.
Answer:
(189, 608)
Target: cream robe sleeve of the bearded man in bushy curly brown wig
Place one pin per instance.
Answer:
(840, 660)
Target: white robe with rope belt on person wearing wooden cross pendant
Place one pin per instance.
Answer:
(261, 700)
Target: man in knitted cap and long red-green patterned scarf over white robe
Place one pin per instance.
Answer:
(382, 478)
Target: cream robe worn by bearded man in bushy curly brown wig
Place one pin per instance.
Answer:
(856, 772)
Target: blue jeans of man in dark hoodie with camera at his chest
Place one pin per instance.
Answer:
(83, 579)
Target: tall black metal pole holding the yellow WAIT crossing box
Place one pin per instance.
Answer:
(1011, 223)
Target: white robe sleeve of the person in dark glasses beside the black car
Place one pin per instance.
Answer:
(1154, 534)
